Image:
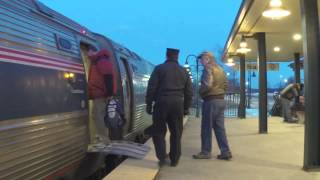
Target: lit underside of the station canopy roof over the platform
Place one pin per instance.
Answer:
(283, 35)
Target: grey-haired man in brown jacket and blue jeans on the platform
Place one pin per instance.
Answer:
(212, 90)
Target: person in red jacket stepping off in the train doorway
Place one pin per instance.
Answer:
(102, 86)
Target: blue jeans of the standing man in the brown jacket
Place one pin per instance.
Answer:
(213, 118)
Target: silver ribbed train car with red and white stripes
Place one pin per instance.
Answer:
(45, 122)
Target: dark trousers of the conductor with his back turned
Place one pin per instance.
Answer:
(168, 110)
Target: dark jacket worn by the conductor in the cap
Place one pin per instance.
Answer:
(170, 79)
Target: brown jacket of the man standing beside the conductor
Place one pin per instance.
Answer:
(213, 82)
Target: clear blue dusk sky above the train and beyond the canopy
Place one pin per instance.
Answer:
(149, 27)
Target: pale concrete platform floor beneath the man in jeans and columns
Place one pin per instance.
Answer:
(277, 155)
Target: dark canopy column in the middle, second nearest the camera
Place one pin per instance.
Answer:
(262, 65)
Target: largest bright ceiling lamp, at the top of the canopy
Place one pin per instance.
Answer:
(276, 11)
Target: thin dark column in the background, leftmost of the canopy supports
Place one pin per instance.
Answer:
(242, 104)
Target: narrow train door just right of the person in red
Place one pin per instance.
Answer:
(127, 93)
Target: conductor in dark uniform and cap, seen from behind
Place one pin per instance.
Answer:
(168, 99)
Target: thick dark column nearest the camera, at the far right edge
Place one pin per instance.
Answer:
(311, 47)
